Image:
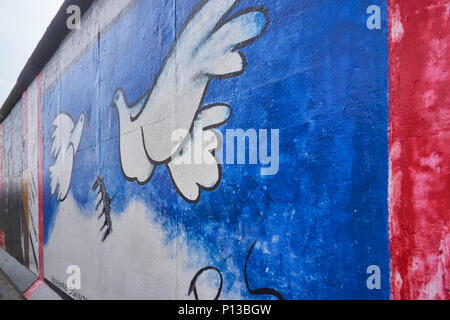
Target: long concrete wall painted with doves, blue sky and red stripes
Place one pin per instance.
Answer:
(303, 212)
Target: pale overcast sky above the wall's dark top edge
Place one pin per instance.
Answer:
(22, 25)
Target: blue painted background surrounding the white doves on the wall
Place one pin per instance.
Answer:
(317, 74)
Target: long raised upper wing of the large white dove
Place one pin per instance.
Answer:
(206, 48)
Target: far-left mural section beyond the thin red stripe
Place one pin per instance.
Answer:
(19, 230)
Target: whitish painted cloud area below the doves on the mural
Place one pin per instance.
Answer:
(137, 261)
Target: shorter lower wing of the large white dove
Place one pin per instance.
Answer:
(195, 167)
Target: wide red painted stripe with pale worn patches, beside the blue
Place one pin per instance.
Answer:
(419, 197)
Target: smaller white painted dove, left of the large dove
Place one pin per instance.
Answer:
(66, 140)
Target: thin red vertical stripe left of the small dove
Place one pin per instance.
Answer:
(40, 182)
